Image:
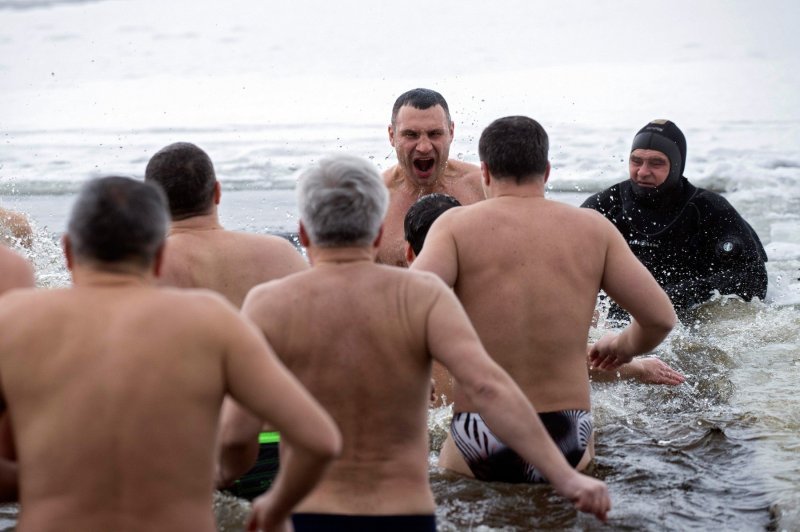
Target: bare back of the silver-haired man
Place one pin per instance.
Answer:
(354, 334)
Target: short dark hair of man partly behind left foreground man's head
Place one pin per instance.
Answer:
(186, 174)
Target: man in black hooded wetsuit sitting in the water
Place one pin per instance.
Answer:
(691, 239)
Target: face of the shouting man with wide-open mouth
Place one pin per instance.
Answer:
(422, 138)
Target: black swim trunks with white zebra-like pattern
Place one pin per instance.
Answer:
(490, 459)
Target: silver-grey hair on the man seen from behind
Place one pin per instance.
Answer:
(342, 201)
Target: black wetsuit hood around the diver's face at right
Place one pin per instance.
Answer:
(666, 137)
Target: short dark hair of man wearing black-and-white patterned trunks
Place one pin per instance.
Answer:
(514, 147)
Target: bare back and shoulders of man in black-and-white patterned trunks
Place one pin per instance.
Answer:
(528, 273)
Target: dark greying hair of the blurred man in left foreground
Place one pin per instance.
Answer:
(117, 220)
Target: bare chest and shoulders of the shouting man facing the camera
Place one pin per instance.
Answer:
(460, 180)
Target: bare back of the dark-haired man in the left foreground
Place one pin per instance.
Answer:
(102, 442)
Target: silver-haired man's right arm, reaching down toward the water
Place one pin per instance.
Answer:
(454, 342)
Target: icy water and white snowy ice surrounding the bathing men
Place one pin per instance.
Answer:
(94, 88)
